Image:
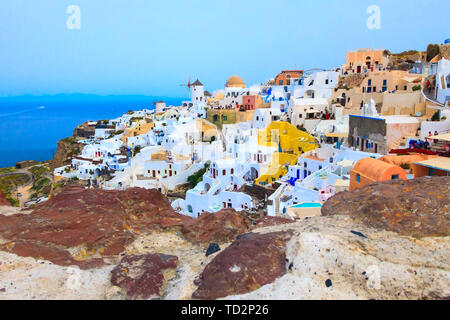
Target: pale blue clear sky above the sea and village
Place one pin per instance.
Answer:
(150, 47)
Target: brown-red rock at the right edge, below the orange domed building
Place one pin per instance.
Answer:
(417, 207)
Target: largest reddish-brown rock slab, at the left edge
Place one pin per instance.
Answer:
(103, 222)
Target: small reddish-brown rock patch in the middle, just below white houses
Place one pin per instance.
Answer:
(222, 226)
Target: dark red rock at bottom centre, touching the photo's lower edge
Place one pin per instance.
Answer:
(249, 263)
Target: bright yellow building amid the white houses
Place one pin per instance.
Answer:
(290, 142)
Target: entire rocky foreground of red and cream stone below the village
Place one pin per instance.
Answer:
(387, 241)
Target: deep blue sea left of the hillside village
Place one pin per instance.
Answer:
(30, 132)
